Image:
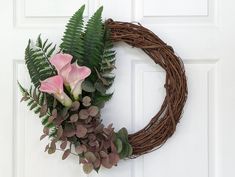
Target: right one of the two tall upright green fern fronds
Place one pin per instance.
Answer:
(93, 41)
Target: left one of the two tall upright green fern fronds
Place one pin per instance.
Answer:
(72, 42)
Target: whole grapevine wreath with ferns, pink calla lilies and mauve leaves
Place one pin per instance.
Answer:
(70, 87)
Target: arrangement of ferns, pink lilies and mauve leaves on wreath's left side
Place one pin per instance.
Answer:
(70, 85)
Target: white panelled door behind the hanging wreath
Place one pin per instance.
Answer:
(202, 32)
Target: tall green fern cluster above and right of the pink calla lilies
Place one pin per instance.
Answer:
(91, 46)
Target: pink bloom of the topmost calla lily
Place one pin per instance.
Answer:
(60, 60)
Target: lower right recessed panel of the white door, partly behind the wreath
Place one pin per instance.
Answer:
(193, 134)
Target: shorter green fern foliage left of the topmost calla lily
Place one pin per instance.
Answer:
(37, 61)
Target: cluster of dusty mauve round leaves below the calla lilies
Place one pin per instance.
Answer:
(80, 127)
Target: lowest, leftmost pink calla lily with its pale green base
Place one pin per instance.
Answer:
(54, 86)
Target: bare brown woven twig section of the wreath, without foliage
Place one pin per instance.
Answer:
(163, 124)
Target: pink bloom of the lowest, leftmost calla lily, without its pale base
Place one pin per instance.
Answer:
(52, 85)
